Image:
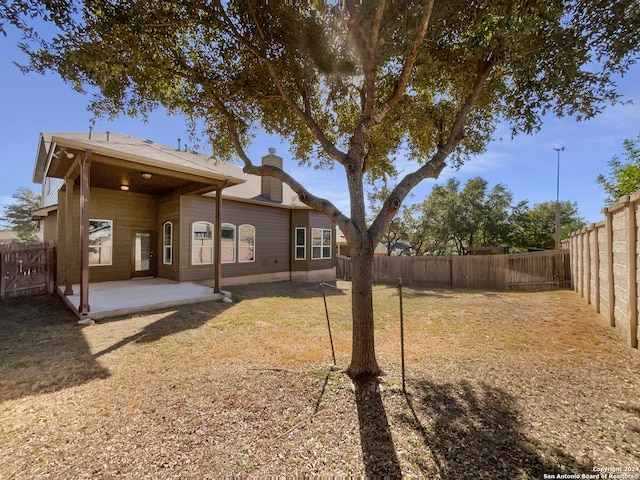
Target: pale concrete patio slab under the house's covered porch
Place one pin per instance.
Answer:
(111, 299)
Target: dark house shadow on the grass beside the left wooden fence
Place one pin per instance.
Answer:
(42, 350)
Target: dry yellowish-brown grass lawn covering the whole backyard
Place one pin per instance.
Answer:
(499, 386)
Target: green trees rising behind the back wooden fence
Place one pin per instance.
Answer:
(453, 219)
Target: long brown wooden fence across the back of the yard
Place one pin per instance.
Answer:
(526, 271)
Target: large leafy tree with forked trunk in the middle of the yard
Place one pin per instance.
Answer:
(350, 84)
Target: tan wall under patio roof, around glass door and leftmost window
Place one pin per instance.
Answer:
(130, 212)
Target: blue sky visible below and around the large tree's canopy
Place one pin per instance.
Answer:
(526, 165)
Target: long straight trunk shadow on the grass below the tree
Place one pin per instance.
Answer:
(378, 450)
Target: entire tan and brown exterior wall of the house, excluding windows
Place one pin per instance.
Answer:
(131, 212)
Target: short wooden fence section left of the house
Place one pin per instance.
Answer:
(26, 270)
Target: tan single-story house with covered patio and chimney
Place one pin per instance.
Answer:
(152, 210)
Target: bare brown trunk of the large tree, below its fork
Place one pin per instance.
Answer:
(363, 354)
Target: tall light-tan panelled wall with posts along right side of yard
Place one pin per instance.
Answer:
(606, 257)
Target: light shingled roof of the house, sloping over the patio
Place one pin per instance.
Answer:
(146, 152)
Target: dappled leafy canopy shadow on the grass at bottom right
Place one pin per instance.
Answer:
(476, 432)
